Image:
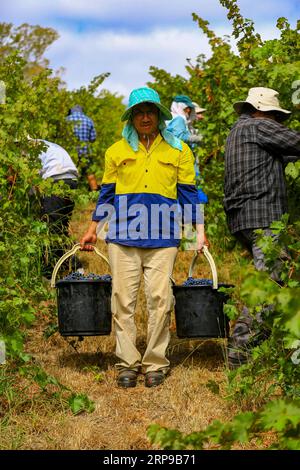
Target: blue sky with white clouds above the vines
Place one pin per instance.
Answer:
(126, 37)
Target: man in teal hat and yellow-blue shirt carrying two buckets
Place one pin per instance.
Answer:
(148, 168)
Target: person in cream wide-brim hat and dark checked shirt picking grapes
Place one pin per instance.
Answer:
(257, 149)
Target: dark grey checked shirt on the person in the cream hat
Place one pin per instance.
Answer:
(255, 154)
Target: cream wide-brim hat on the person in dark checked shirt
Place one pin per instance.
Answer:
(262, 99)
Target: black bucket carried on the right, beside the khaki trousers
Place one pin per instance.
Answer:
(199, 312)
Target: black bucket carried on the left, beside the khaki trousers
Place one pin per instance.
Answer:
(84, 308)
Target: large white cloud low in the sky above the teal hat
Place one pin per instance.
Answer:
(128, 56)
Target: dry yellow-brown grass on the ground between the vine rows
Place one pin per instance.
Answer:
(121, 417)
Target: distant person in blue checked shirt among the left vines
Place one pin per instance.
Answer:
(84, 130)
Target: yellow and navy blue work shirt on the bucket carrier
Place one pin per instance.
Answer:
(146, 194)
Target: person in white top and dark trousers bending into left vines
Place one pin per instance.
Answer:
(57, 210)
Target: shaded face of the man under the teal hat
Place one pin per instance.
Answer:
(145, 118)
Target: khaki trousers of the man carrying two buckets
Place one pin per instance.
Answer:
(127, 265)
